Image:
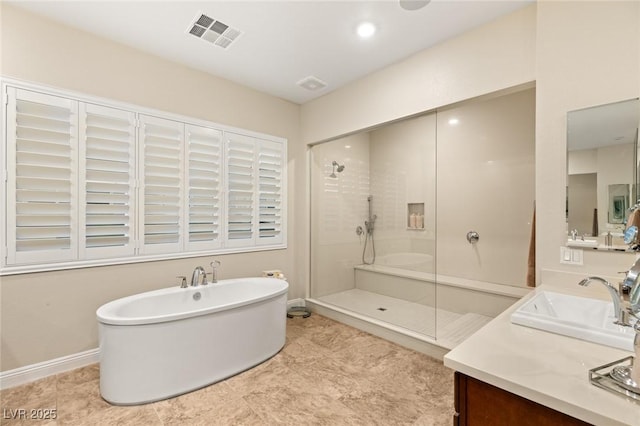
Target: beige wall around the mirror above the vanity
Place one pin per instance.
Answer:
(587, 54)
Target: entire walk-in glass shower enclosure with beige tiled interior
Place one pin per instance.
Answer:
(420, 225)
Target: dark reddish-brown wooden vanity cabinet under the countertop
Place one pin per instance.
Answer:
(478, 403)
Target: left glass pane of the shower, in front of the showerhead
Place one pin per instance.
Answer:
(377, 209)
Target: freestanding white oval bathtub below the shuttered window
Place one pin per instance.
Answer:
(164, 343)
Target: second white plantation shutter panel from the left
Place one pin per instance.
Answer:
(108, 169)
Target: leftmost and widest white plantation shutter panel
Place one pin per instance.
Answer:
(41, 177)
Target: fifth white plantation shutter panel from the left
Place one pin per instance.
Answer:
(241, 190)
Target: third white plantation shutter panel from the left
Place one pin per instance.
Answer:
(161, 192)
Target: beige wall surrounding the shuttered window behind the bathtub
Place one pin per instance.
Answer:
(48, 315)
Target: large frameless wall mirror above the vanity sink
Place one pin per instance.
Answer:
(602, 181)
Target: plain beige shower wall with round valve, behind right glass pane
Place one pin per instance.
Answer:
(486, 184)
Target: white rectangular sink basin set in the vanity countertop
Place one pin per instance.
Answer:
(580, 317)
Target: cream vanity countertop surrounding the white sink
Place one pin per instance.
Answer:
(547, 368)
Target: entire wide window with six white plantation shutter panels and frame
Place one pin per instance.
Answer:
(95, 182)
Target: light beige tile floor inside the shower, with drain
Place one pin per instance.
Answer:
(449, 328)
